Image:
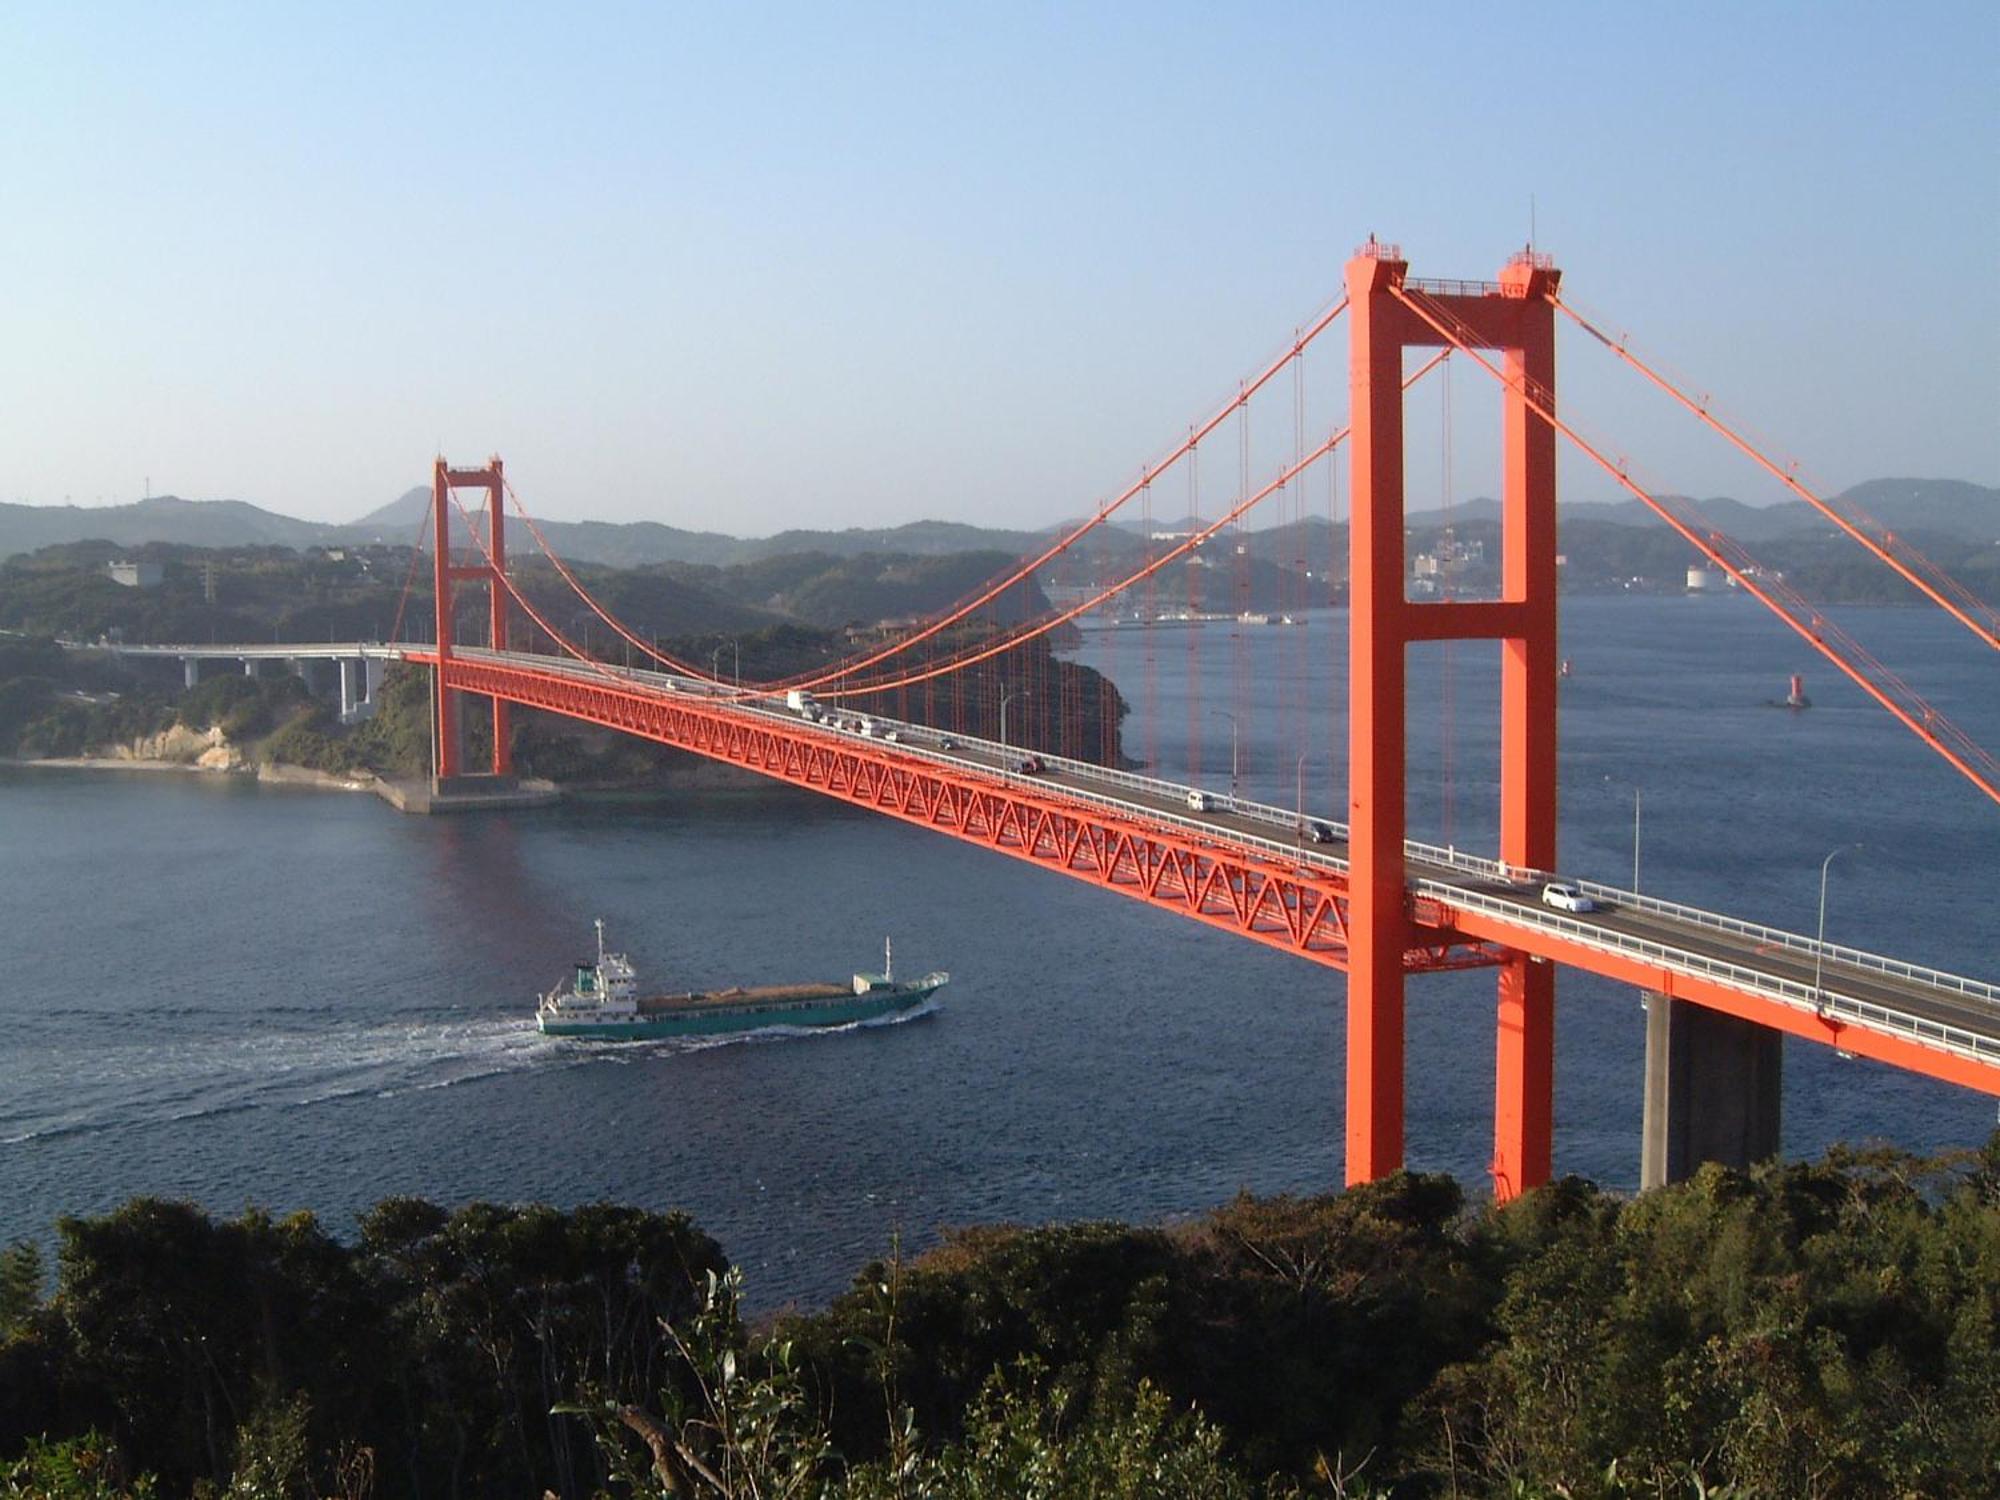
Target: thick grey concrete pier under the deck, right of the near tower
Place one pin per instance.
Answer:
(1715, 1091)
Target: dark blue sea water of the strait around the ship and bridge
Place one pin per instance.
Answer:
(293, 999)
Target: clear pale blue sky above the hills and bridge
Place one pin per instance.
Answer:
(747, 269)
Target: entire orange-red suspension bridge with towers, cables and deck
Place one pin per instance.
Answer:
(1361, 895)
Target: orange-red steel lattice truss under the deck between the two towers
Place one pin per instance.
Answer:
(1233, 889)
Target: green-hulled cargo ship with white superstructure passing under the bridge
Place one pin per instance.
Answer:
(603, 1003)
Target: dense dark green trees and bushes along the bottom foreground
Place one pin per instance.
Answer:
(1801, 1331)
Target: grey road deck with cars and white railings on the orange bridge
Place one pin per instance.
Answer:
(1927, 1021)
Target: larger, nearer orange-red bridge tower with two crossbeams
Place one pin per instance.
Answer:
(1517, 319)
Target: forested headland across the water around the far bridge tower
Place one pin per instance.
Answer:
(755, 623)
